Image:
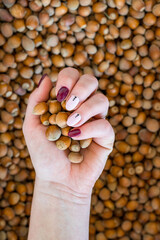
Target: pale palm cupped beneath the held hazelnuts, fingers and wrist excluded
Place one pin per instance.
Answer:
(52, 164)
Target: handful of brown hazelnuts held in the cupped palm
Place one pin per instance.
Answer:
(54, 115)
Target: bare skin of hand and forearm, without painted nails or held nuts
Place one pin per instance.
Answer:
(62, 194)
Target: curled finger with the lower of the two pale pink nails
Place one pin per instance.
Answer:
(96, 106)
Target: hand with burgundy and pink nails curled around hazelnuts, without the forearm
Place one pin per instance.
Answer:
(51, 164)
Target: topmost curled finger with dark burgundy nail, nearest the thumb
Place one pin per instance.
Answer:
(67, 78)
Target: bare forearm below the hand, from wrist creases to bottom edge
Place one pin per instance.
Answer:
(57, 214)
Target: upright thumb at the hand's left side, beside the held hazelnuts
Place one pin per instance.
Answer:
(40, 94)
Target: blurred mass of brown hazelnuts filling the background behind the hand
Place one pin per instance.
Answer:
(118, 41)
